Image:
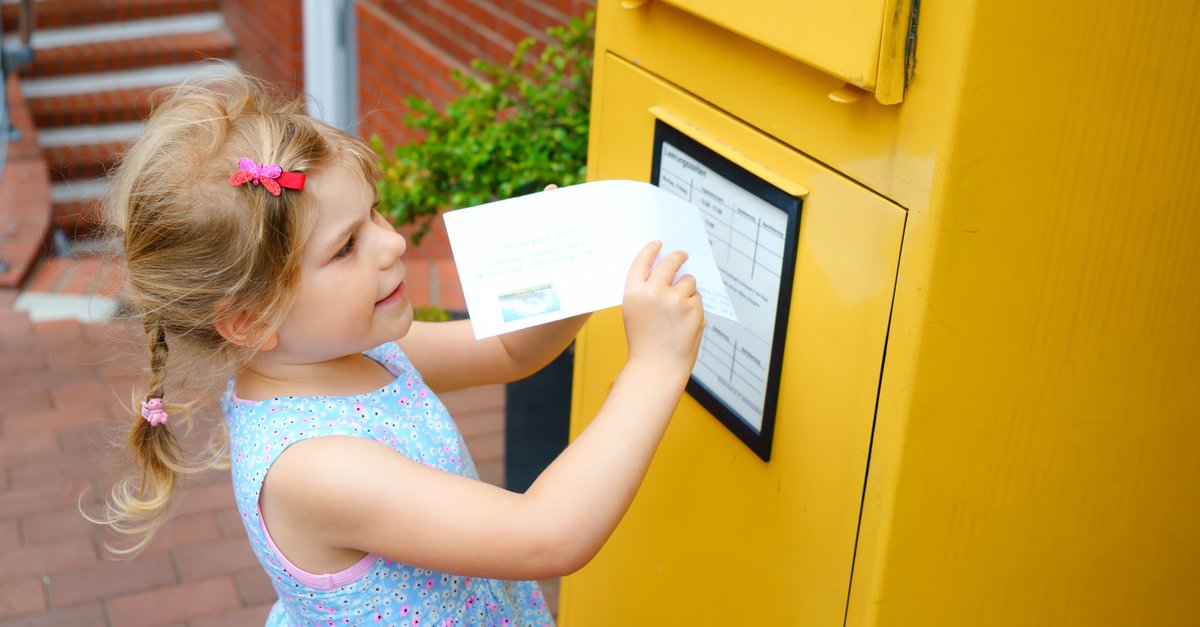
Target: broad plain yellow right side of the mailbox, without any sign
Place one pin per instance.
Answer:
(1037, 452)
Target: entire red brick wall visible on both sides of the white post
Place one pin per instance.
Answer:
(406, 47)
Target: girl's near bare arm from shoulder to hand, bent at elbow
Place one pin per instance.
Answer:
(379, 501)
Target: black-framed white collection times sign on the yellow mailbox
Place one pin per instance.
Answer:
(753, 228)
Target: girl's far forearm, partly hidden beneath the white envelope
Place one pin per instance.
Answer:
(449, 357)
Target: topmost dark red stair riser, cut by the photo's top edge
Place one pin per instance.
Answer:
(67, 14)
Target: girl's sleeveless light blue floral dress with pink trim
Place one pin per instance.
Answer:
(407, 417)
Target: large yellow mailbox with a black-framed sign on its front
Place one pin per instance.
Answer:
(975, 286)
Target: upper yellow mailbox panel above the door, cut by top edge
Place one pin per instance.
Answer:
(842, 38)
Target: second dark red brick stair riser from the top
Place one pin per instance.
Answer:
(131, 53)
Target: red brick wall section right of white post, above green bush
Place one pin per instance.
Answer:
(411, 46)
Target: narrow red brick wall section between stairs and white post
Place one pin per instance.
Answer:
(271, 39)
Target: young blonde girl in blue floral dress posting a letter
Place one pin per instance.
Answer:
(250, 236)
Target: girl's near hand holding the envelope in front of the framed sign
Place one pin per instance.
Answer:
(664, 318)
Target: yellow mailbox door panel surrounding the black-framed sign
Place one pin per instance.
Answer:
(716, 535)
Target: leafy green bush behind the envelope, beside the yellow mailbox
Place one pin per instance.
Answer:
(515, 129)
